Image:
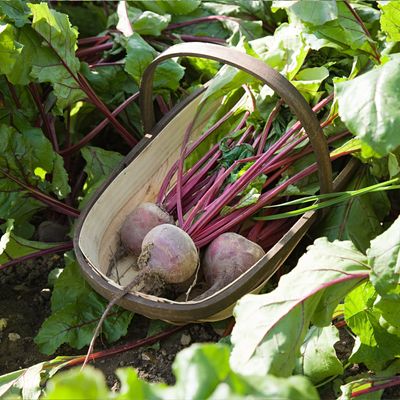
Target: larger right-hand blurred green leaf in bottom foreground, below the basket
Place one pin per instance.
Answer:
(202, 372)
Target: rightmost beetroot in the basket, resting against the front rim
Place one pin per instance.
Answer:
(226, 258)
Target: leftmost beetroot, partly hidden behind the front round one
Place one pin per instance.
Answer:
(139, 222)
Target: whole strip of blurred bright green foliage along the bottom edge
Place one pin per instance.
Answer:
(198, 376)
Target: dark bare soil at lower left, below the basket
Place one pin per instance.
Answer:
(25, 304)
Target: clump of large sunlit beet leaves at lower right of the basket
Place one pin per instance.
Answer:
(270, 340)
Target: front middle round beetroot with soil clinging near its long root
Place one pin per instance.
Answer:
(168, 252)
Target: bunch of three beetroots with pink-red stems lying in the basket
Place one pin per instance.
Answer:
(203, 222)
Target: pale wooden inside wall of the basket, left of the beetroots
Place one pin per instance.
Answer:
(138, 182)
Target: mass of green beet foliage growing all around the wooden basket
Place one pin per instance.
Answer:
(68, 88)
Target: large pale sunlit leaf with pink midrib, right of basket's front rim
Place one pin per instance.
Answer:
(270, 328)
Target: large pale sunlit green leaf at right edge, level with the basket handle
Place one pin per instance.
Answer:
(368, 105)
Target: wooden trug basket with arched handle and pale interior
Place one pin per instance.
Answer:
(138, 179)
